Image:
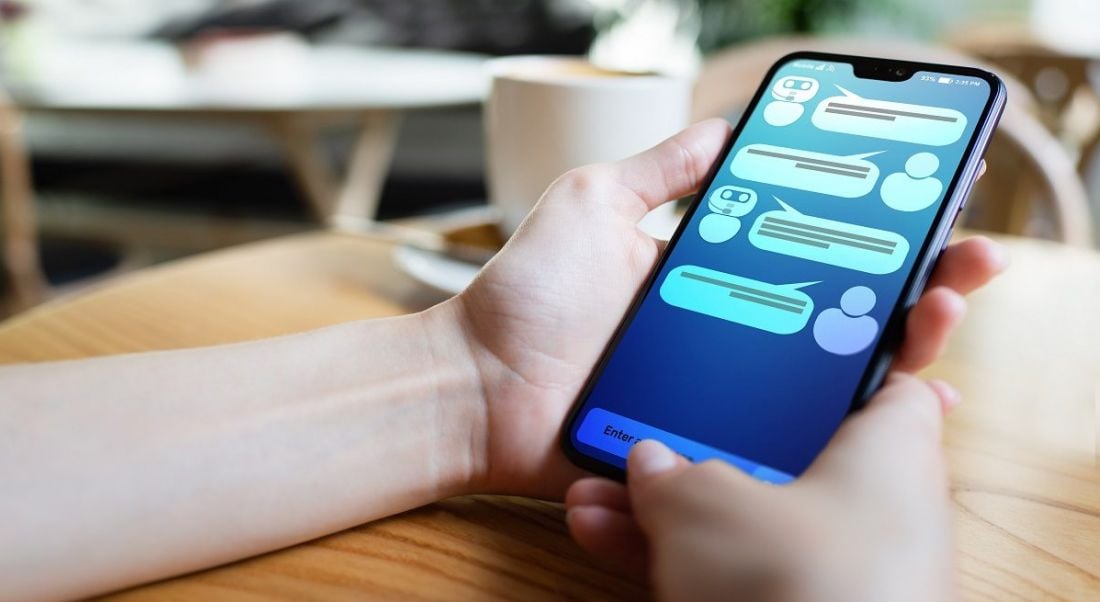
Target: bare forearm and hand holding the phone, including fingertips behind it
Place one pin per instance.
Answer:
(127, 469)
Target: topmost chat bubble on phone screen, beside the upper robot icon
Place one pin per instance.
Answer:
(852, 114)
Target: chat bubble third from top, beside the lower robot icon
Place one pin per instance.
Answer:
(789, 233)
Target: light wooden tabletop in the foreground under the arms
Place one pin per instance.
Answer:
(1024, 448)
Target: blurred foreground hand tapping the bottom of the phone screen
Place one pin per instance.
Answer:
(868, 521)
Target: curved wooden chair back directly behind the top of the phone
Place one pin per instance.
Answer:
(1025, 159)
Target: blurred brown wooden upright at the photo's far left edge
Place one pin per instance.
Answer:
(20, 242)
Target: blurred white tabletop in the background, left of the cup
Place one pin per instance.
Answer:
(265, 75)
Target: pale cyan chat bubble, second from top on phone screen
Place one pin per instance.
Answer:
(837, 176)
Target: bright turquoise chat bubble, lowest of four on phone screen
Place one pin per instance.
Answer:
(779, 309)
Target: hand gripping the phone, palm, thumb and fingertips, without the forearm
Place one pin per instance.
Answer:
(540, 315)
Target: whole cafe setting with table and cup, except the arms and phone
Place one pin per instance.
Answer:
(190, 173)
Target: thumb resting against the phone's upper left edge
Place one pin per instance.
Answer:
(675, 168)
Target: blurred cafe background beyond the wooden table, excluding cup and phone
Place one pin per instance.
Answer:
(135, 133)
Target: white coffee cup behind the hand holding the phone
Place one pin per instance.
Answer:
(547, 115)
